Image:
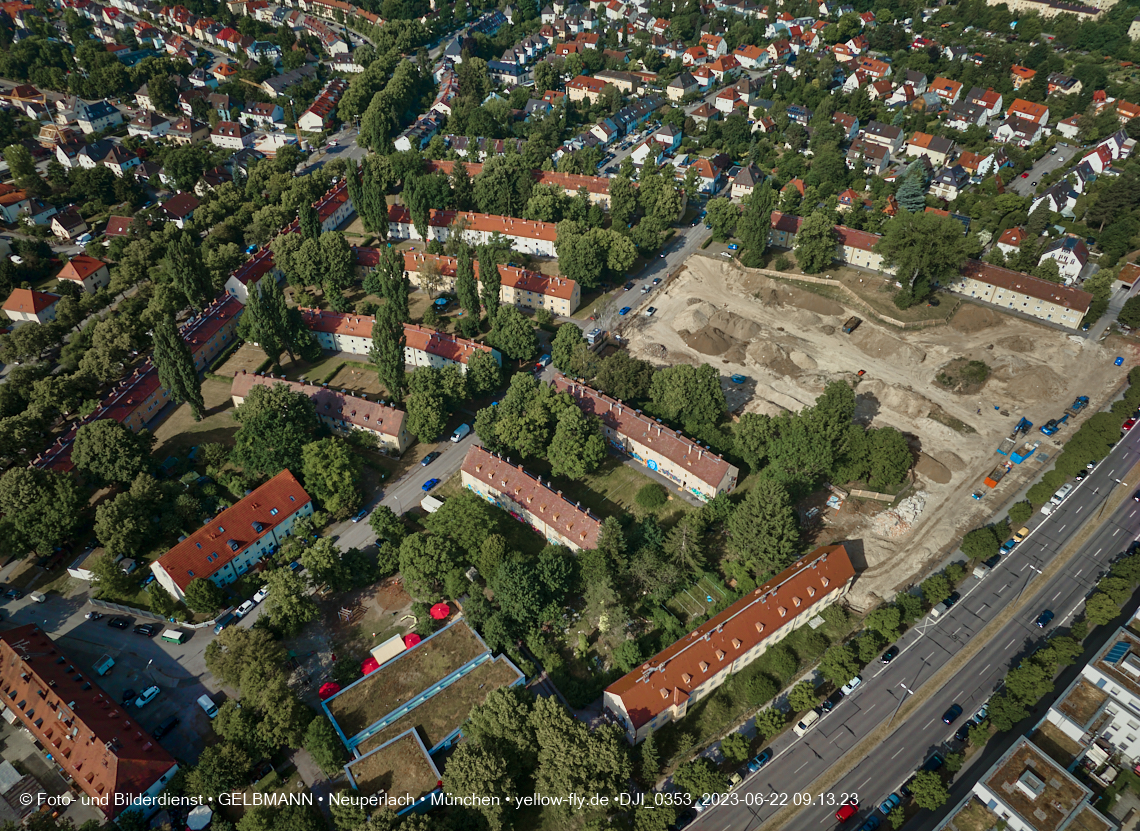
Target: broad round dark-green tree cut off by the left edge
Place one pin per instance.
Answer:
(40, 509)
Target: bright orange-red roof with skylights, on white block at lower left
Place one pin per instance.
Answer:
(234, 531)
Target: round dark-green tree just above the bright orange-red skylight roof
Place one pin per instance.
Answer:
(276, 425)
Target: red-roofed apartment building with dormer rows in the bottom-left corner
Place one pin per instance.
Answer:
(91, 740)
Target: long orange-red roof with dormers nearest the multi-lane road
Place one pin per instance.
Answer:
(672, 675)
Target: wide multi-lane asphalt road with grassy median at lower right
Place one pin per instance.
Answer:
(930, 646)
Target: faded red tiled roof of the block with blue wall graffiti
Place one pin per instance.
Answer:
(702, 465)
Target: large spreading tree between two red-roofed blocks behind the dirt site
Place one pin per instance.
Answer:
(924, 249)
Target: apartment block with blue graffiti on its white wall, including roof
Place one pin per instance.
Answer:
(666, 452)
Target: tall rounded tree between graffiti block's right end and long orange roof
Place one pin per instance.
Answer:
(763, 531)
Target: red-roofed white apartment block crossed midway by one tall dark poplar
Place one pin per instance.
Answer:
(353, 333)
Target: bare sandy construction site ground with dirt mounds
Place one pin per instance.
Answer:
(789, 344)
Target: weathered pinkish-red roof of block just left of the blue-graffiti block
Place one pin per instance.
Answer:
(559, 512)
